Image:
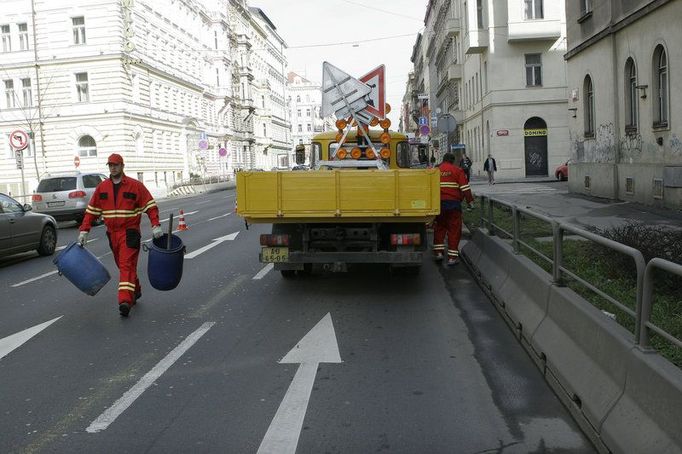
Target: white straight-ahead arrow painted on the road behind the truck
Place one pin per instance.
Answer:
(318, 346)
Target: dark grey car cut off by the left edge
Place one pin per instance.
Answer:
(21, 230)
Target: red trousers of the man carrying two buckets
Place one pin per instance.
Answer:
(125, 244)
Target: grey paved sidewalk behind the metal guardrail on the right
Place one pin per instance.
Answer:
(551, 198)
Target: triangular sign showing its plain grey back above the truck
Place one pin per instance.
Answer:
(341, 93)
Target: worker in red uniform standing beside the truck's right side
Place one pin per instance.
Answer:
(454, 189)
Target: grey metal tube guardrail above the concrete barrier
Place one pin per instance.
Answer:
(645, 287)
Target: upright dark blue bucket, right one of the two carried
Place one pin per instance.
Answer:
(164, 266)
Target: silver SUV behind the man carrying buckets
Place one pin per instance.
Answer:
(65, 196)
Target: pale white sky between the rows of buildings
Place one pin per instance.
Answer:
(376, 32)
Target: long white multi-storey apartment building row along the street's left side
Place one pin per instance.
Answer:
(161, 82)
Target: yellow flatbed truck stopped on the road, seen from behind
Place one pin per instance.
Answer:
(359, 204)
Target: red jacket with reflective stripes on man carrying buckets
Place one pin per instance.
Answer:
(132, 200)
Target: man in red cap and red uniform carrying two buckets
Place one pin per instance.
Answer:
(121, 200)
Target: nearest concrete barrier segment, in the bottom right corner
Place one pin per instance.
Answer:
(648, 416)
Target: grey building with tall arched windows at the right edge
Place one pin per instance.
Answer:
(625, 100)
